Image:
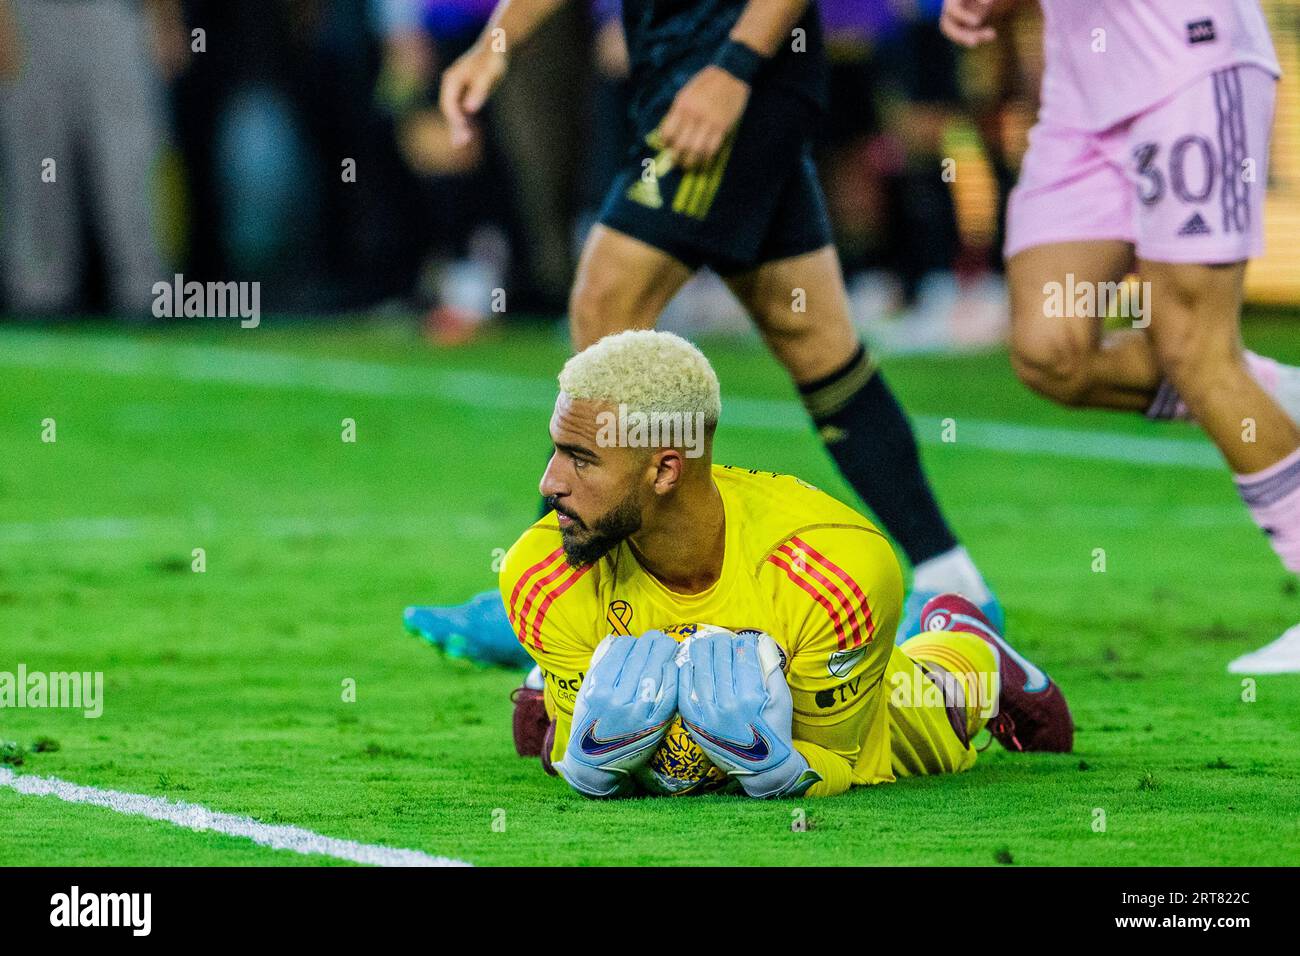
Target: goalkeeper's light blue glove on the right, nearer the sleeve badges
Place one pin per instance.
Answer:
(742, 716)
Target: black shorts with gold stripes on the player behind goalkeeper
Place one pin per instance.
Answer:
(757, 202)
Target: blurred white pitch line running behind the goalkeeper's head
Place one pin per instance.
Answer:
(213, 364)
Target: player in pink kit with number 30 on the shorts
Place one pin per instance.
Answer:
(1151, 154)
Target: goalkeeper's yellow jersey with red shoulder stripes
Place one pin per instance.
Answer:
(811, 572)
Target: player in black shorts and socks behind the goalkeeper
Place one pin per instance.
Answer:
(726, 98)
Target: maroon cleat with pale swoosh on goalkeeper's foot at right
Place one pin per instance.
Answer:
(1032, 711)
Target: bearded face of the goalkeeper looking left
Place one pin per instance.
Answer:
(597, 488)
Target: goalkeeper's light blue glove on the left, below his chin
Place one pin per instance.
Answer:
(622, 715)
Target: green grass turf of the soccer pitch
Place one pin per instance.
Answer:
(224, 687)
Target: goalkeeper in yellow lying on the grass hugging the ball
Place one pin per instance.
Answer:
(804, 691)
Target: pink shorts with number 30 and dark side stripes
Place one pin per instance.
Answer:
(1182, 181)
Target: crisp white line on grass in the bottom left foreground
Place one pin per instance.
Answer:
(201, 819)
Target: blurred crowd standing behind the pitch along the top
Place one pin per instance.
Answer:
(298, 144)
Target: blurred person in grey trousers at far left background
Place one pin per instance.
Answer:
(81, 133)
